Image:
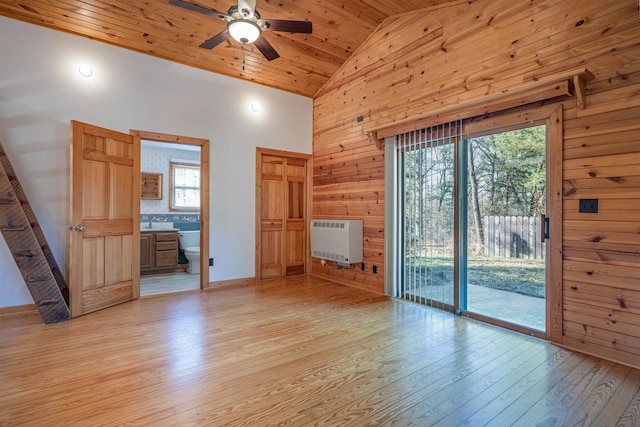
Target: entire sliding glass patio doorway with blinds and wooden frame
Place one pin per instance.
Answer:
(477, 218)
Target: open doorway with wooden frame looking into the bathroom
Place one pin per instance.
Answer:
(174, 214)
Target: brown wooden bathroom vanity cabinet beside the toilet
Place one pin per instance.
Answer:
(158, 251)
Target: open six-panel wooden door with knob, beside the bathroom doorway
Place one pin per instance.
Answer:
(104, 268)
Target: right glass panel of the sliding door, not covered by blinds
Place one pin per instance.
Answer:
(504, 262)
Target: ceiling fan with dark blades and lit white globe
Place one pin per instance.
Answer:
(245, 25)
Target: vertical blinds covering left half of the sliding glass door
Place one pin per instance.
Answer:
(426, 212)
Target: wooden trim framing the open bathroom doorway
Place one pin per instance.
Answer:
(204, 145)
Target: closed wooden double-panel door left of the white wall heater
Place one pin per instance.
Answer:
(281, 214)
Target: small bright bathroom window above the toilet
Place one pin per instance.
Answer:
(185, 187)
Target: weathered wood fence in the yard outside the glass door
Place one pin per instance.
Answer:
(513, 237)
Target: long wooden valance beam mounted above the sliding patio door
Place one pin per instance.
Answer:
(547, 87)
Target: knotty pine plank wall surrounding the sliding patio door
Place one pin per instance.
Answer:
(415, 66)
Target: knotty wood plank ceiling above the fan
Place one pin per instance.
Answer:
(154, 27)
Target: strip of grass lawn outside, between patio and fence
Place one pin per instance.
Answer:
(523, 276)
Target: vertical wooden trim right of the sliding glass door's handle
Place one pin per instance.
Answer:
(554, 213)
